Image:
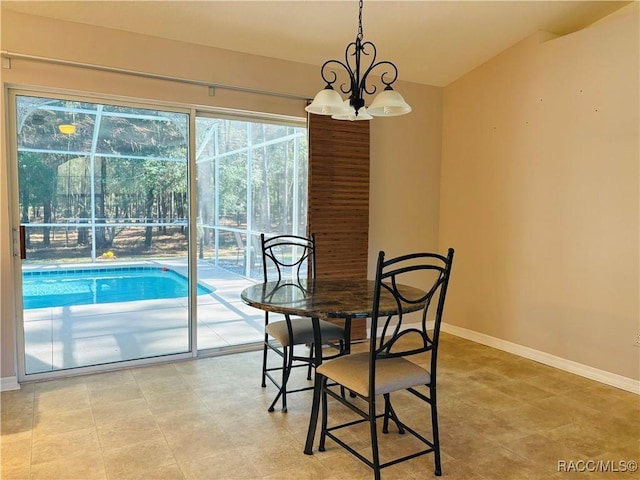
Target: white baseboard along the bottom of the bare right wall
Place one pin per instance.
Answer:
(586, 371)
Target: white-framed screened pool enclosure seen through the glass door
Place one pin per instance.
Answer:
(98, 182)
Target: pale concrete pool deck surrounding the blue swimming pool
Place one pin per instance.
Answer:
(67, 337)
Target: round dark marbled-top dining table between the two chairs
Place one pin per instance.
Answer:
(322, 298)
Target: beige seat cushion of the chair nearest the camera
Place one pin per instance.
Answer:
(392, 374)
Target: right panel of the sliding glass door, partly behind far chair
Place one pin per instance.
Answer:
(251, 179)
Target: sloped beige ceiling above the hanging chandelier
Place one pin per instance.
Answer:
(431, 42)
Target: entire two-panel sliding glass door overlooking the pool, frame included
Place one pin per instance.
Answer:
(117, 268)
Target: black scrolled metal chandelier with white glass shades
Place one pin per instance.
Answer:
(387, 103)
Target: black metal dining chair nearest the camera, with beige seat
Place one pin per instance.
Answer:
(386, 368)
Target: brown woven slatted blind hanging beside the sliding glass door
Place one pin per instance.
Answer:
(339, 199)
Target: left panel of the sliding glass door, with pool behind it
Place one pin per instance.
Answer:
(103, 211)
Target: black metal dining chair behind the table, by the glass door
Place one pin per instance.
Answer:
(293, 257)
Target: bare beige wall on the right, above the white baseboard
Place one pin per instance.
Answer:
(539, 195)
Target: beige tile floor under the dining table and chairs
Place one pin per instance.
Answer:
(501, 417)
